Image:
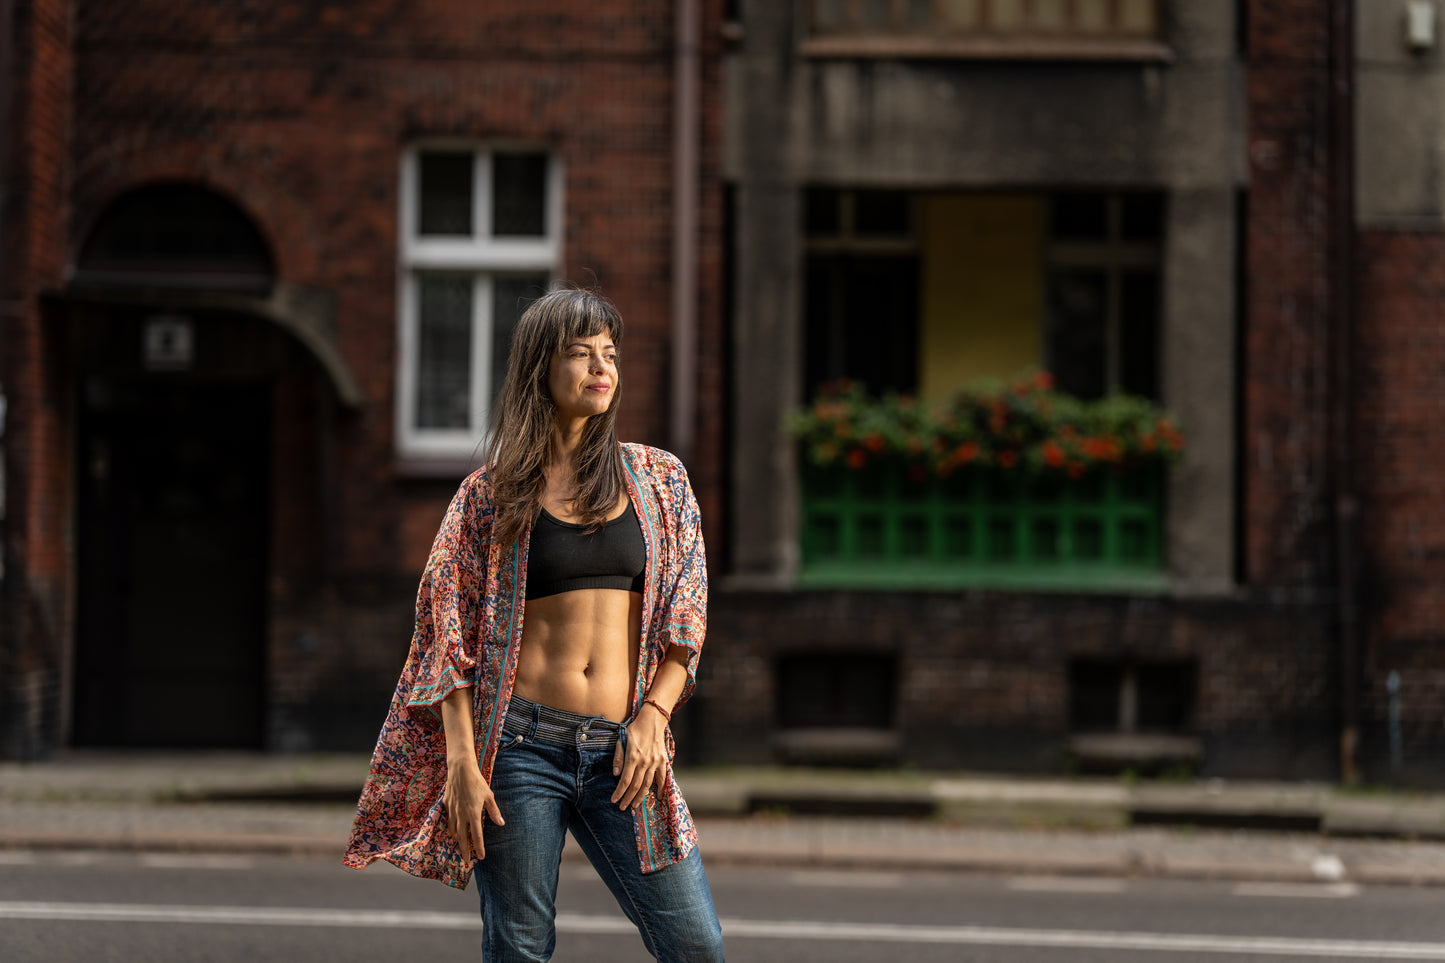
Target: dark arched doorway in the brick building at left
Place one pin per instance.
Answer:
(174, 475)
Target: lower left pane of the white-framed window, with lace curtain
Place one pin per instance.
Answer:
(444, 352)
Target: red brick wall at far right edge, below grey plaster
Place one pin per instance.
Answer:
(1401, 479)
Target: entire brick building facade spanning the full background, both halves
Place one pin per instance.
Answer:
(1243, 190)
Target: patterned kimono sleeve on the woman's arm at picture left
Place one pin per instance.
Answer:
(447, 635)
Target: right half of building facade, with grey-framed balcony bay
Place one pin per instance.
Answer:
(1294, 341)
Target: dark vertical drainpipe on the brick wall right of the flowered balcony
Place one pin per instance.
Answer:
(1342, 323)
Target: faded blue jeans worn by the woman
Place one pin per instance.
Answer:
(553, 774)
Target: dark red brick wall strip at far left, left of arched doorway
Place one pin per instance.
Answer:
(34, 627)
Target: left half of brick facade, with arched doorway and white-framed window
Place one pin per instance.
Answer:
(215, 513)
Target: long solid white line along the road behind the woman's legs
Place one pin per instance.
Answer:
(742, 929)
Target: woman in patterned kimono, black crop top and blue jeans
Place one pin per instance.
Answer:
(558, 625)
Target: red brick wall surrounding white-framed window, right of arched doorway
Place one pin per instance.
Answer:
(300, 115)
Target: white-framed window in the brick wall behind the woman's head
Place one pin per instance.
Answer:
(482, 238)
